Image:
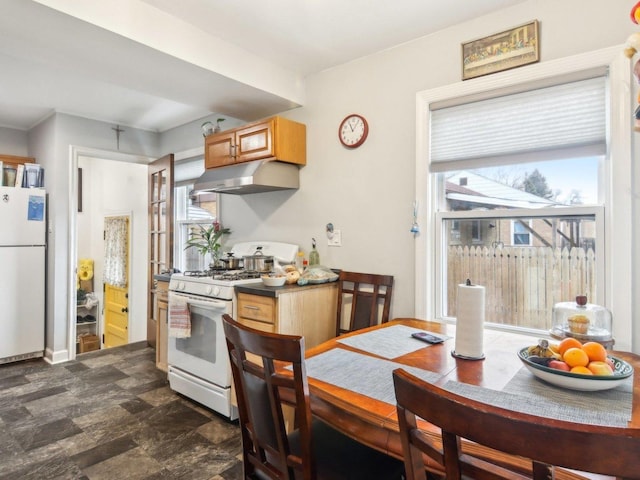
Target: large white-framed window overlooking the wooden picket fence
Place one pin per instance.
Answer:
(489, 181)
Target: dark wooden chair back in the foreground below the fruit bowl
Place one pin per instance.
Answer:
(544, 442)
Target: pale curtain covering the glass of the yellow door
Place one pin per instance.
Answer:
(115, 251)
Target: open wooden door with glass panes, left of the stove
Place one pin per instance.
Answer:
(160, 234)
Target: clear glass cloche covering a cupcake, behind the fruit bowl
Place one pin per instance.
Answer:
(583, 321)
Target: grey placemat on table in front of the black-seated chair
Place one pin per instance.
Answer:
(360, 373)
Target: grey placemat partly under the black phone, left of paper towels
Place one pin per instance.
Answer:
(390, 342)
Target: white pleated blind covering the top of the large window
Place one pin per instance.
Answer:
(562, 121)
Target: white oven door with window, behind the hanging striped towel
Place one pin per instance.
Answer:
(203, 354)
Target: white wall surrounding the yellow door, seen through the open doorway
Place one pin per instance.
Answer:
(116, 188)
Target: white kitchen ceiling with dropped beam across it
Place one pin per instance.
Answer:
(103, 60)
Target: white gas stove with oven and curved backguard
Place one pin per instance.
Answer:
(198, 361)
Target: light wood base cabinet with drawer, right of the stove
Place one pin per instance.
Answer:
(309, 311)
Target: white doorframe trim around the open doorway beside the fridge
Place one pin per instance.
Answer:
(75, 152)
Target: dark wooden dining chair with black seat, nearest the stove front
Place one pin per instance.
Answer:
(313, 450)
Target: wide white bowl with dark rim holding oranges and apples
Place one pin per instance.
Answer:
(576, 381)
